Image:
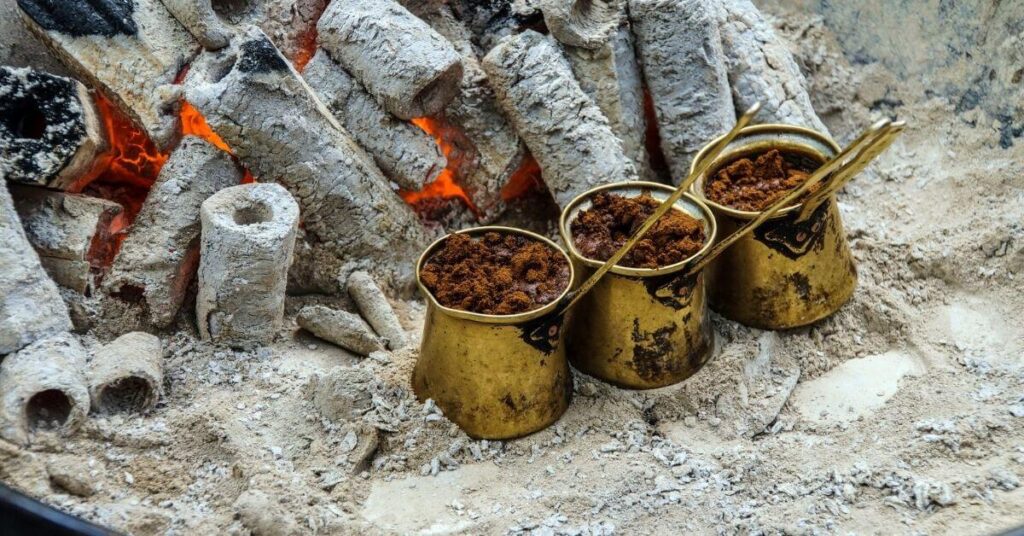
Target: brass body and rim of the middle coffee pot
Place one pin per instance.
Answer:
(641, 328)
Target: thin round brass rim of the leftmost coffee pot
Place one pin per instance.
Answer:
(495, 319)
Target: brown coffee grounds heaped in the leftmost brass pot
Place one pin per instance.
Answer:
(496, 274)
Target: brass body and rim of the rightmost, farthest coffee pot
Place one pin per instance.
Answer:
(789, 272)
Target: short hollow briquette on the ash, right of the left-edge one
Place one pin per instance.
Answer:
(127, 375)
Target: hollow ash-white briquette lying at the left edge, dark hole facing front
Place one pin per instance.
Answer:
(44, 387)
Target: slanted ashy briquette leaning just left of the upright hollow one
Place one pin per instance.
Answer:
(151, 274)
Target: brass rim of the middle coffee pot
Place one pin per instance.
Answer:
(689, 203)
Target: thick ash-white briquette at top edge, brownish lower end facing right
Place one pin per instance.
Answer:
(409, 67)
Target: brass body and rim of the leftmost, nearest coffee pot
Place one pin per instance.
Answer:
(490, 375)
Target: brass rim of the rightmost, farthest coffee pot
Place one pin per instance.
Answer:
(756, 141)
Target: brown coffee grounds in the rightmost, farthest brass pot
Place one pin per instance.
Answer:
(754, 185)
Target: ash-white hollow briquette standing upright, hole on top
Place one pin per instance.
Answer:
(248, 240)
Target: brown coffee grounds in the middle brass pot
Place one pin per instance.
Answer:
(612, 220)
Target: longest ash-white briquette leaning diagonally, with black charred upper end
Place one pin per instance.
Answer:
(266, 112)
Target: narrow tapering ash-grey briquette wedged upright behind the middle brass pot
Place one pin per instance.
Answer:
(611, 75)
